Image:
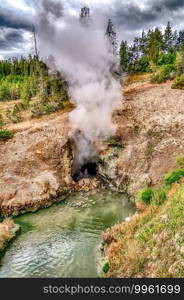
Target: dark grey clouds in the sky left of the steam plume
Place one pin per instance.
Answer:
(13, 23)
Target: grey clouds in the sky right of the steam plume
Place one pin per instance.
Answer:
(130, 18)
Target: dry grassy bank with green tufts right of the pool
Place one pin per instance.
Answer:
(152, 243)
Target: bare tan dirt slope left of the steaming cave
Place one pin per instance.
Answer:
(33, 162)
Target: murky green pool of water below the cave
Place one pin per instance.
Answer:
(63, 240)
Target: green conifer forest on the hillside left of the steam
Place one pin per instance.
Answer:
(28, 90)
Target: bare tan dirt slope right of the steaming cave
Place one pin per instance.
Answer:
(151, 126)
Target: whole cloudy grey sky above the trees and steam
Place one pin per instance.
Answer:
(130, 17)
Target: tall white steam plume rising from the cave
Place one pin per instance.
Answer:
(83, 56)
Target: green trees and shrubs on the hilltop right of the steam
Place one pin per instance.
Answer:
(159, 53)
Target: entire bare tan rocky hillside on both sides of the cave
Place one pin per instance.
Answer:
(36, 163)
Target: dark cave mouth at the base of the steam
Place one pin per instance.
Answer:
(88, 170)
